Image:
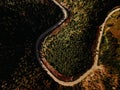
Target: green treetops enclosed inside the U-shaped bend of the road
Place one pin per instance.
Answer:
(69, 51)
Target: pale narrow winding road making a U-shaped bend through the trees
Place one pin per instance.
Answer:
(96, 53)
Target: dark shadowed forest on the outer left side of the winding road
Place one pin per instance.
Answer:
(21, 23)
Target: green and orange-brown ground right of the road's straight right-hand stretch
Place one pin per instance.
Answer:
(110, 46)
